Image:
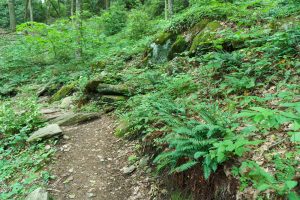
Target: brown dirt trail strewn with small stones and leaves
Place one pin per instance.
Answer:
(88, 165)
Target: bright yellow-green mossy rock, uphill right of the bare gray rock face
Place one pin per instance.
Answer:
(206, 36)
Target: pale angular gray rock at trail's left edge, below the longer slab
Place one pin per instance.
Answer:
(46, 132)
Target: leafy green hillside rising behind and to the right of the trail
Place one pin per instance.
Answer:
(212, 95)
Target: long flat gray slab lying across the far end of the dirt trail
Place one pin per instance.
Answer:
(70, 119)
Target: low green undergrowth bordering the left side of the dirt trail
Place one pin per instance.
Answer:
(20, 162)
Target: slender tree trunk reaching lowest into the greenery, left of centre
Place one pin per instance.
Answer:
(79, 30)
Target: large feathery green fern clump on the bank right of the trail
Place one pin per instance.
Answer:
(203, 141)
